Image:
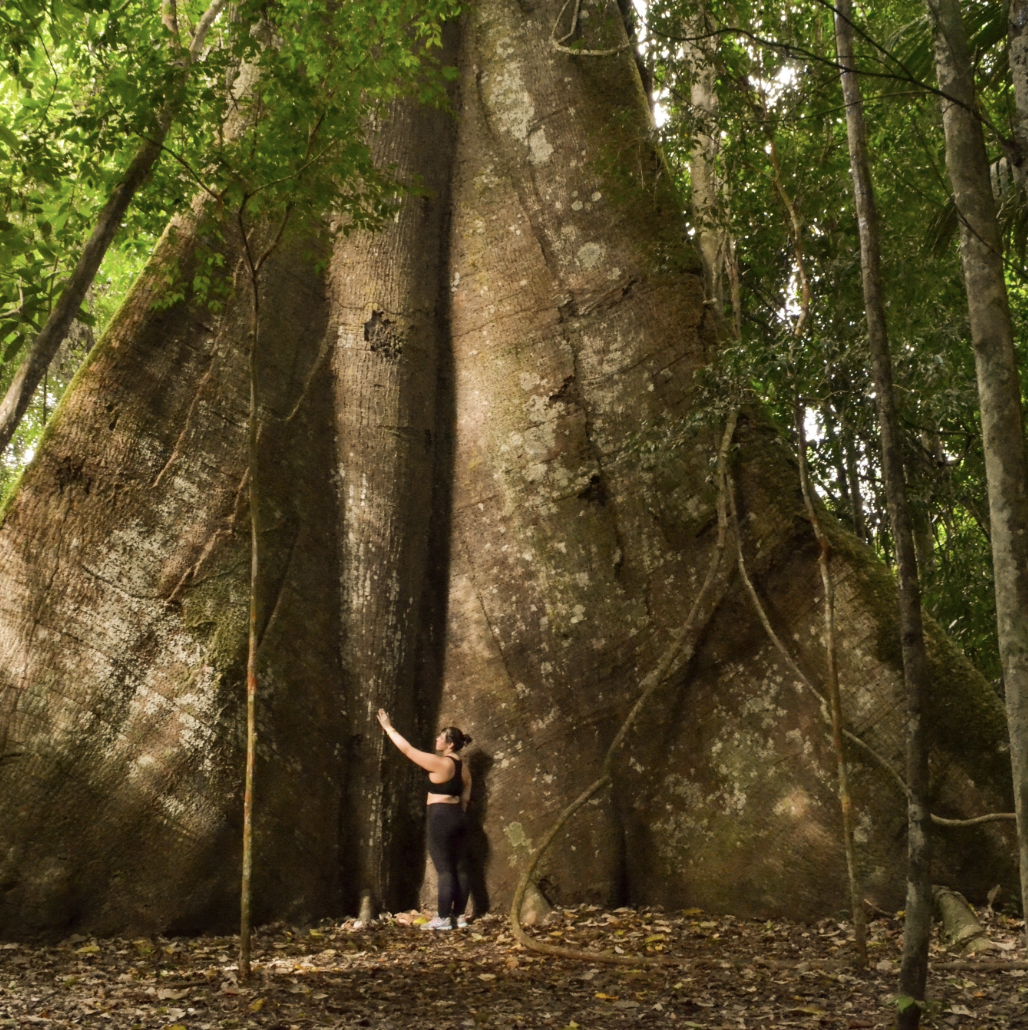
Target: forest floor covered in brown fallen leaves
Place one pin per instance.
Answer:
(391, 975)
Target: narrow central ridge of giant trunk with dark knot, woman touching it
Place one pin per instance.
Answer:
(389, 344)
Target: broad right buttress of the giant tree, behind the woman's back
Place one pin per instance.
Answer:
(578, 324)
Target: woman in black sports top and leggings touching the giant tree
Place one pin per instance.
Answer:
(450, 789)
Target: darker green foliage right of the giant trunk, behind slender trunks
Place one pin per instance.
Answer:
(778, 87)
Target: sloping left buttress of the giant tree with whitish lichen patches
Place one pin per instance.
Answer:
(123, 626)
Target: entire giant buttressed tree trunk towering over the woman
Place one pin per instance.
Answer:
(576, 322)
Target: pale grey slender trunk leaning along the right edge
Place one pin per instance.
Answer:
(1000, 391)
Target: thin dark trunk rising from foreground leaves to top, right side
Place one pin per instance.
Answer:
(917, 926)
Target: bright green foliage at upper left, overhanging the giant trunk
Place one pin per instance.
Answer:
(82, 86)
